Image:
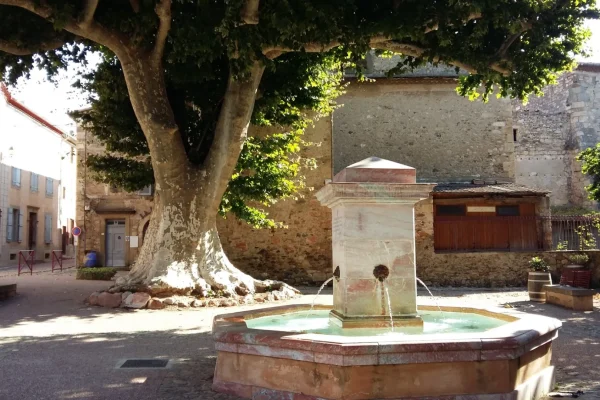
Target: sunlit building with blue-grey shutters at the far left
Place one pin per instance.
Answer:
(37, 184)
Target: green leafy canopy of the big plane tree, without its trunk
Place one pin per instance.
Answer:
(517, 47)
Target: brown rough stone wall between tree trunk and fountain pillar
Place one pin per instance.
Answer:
(301, 253)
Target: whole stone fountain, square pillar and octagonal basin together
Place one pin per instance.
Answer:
(350, 350)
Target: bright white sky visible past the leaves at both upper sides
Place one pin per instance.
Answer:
(53, 101)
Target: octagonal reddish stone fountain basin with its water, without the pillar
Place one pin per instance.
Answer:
(459, 353)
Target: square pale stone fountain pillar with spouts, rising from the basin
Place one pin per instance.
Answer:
(373, 233)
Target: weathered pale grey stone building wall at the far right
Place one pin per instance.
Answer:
(551, 130)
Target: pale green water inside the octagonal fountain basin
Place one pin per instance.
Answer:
(319, 322)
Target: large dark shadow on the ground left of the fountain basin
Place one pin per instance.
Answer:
(85, 366)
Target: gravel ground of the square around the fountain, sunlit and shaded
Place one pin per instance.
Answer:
(52, 346)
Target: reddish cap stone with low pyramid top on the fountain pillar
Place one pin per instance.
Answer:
(377, 170)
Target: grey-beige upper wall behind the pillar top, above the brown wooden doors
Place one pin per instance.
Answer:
(423, 123)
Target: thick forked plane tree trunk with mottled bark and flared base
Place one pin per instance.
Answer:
(182, 252)
